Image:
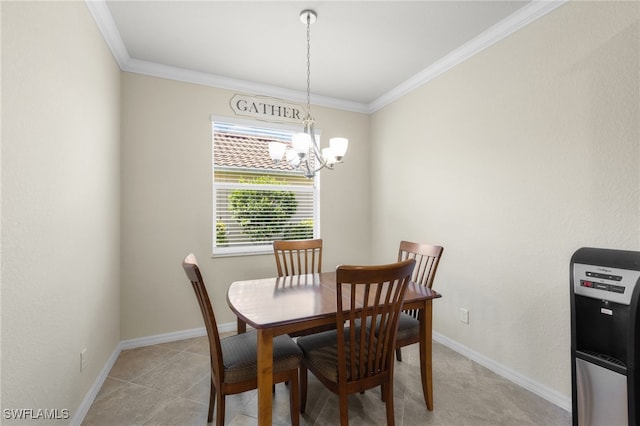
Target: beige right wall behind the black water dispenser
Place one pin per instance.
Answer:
(512, 161)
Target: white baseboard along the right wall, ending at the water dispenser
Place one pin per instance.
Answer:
(542, 391)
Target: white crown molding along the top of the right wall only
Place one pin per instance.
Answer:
(527, 14)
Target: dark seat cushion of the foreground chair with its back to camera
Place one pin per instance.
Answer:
(321, 353)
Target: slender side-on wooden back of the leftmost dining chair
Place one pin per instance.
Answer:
(190, 265)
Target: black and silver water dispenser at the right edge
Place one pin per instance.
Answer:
(605, 346)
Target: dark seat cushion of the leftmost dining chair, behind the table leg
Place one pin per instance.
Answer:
(240, 356)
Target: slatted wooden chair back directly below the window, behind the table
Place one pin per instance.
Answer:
(296, 257)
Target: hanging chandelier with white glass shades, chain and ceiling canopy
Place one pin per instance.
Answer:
(304, 153)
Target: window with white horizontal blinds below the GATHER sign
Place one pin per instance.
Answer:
(255, 200)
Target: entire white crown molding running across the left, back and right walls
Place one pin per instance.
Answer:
(527, 14)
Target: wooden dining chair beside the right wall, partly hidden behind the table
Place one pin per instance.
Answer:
(427, 257)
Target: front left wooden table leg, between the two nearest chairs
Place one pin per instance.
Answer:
(265, 375)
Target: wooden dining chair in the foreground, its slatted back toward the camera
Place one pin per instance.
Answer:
(353, 357)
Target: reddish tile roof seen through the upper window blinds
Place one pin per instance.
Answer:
(246, 152)
